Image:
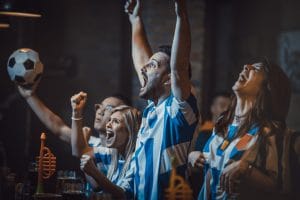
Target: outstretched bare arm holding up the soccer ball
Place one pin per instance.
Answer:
(53, 122)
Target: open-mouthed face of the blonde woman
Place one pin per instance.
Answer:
(116, 132)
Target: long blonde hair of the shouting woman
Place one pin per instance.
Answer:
(132, 119)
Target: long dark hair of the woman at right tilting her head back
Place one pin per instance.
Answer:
(270, 108)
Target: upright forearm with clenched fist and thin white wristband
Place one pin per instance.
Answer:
(78, 142)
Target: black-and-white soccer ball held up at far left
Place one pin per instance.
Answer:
(24, 67)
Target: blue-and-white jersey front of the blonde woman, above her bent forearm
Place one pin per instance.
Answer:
(109, 162)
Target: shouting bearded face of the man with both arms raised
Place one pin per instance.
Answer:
(154, 73)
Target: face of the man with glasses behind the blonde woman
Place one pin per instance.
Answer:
(103, 112)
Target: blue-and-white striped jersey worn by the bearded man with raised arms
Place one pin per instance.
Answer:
(166, 131)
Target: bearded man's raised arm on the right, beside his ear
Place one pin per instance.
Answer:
(180, 54)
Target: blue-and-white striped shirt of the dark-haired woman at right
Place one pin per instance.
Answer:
(219, 152)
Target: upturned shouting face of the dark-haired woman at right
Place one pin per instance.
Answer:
(250, 80)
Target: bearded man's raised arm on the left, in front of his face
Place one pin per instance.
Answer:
(141, 50)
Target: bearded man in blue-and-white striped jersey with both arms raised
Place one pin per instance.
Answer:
(170, 118)
